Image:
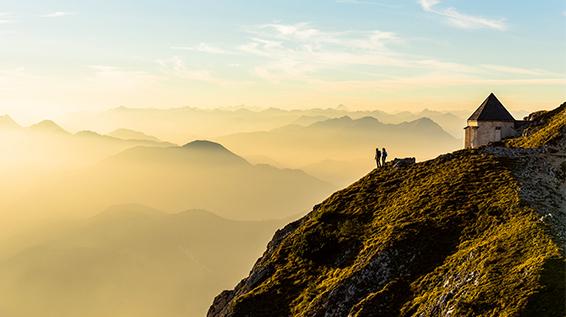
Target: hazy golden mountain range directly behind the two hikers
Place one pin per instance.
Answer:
(348, 143)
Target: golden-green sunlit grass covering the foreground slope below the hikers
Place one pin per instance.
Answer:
(444, 221)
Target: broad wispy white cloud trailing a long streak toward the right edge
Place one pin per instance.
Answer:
(304, 52)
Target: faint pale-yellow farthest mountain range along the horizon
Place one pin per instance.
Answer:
(179, 124)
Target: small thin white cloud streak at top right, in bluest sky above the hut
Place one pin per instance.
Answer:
(462, 20)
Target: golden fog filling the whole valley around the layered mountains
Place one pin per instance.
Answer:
(145, 212)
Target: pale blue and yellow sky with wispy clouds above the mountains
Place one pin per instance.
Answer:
(393, 55)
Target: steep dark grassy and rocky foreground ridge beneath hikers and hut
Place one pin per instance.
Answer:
(472, 233)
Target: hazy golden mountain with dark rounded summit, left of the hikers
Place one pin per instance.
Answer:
(200, 174)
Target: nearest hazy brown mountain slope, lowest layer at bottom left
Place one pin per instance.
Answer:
(131, 261)
